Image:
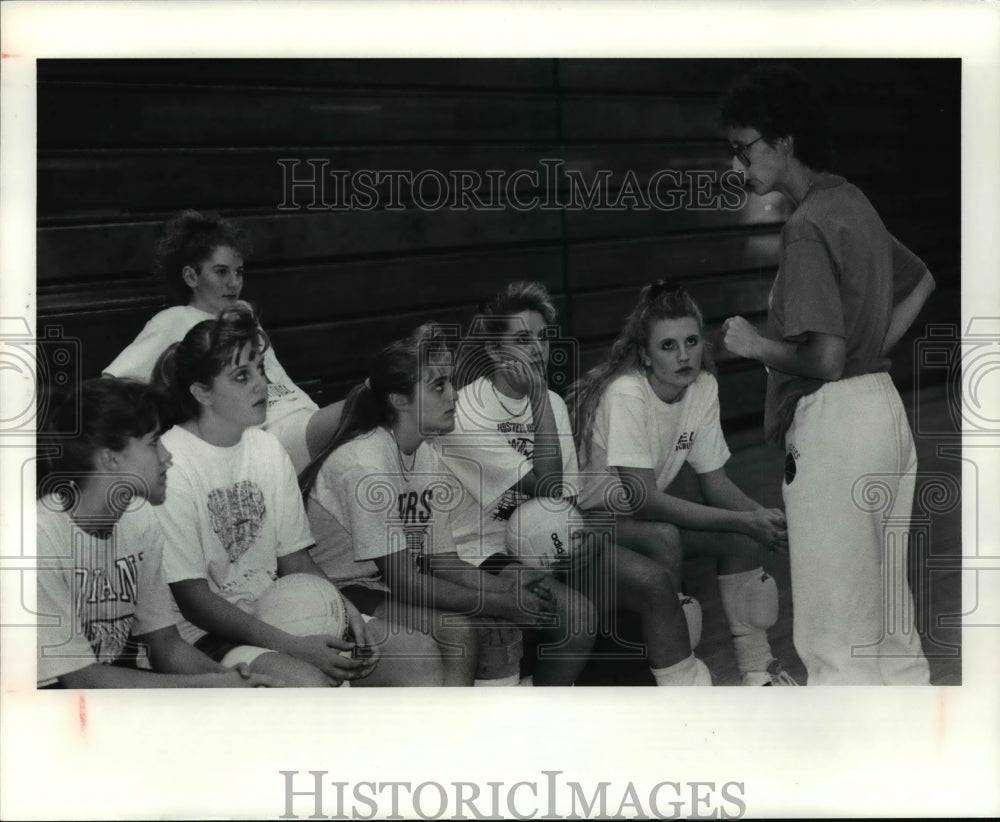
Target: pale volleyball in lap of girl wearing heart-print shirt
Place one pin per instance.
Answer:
(303, 605)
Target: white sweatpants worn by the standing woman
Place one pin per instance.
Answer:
(850, 472)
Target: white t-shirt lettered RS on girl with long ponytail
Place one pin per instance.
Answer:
(365, 505)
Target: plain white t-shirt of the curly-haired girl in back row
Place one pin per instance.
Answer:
(284, 397)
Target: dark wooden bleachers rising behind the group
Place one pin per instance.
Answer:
(124, 143)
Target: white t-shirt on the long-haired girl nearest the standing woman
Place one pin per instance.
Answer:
(633, 428)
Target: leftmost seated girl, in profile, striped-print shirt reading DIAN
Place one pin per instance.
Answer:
(102, 599)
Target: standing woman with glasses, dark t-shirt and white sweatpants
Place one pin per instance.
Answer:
(845, 293)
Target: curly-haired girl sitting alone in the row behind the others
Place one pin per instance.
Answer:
(200, 259)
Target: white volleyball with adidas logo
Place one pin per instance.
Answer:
(546, 533)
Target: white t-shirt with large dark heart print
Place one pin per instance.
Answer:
(229, 514)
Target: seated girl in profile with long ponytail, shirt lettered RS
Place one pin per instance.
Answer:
(379, 503)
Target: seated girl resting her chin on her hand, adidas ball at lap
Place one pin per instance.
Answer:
(512, 442)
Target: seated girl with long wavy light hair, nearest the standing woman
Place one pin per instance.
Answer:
(643, 412)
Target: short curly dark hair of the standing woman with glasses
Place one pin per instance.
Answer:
(778, 101)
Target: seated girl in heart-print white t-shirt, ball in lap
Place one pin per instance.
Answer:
(234, 522)
